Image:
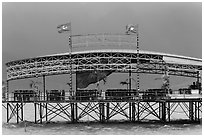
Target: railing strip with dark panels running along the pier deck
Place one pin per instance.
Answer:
(94, 95)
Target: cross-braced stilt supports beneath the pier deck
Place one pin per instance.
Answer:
(103, 110)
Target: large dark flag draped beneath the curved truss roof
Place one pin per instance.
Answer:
(84, 79)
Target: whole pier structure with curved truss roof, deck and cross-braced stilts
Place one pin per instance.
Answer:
(133, 105)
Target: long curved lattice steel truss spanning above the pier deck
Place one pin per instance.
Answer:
(86, 61)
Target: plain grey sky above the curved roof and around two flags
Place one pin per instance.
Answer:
(30, 29)
